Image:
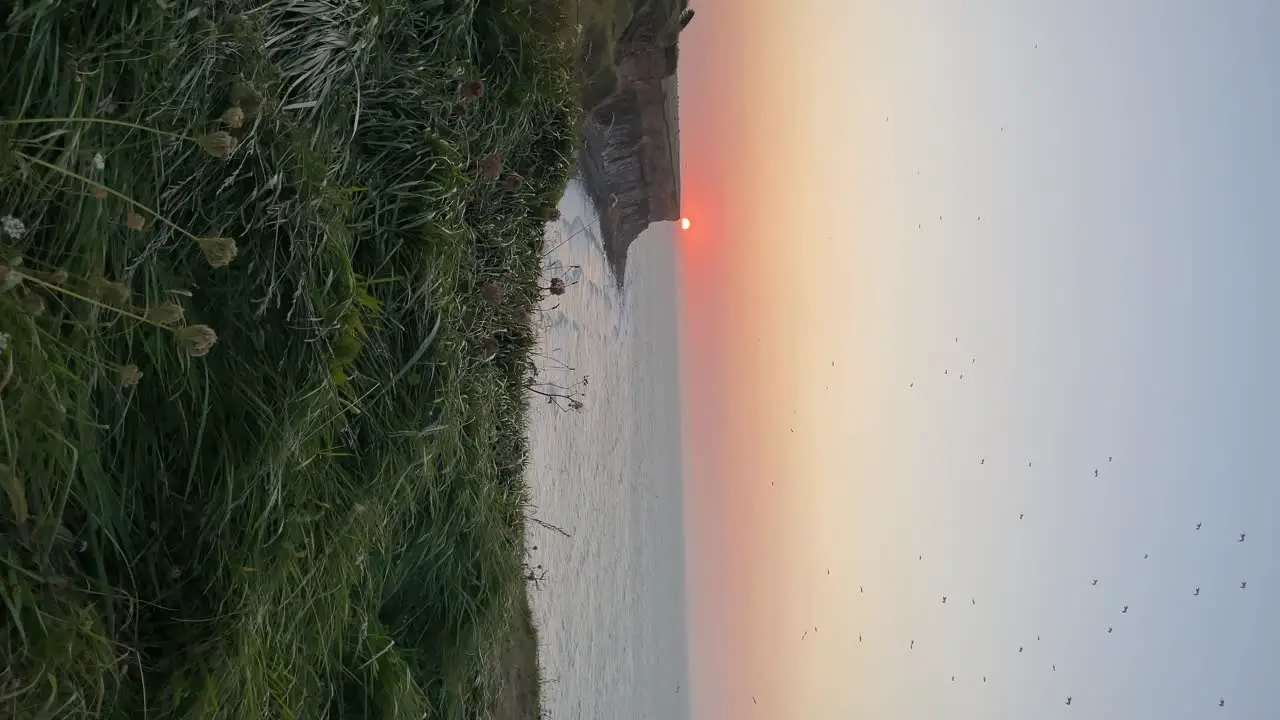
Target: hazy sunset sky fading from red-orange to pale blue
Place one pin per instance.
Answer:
(1112, 313)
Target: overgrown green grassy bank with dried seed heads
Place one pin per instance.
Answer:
(267, 284)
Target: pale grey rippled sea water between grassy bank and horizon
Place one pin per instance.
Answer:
(612, 608)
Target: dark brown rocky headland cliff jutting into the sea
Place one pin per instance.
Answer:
(630, 160)
